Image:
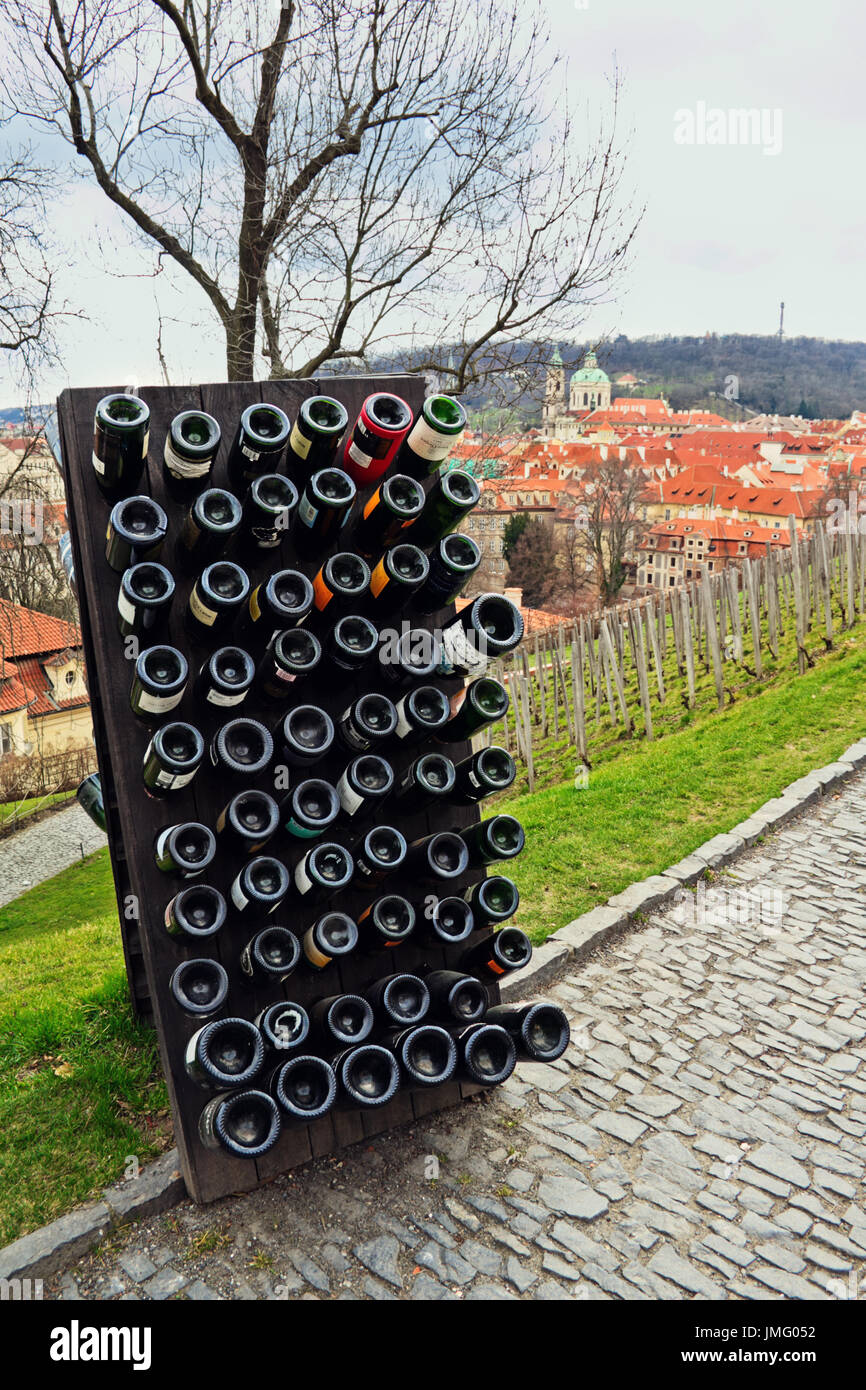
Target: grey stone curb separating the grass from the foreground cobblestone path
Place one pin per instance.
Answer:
(161, 1186)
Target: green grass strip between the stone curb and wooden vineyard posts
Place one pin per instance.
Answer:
(654, 803)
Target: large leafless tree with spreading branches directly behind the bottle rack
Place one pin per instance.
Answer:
(340, 177)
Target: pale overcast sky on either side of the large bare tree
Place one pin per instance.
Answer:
(729, 231)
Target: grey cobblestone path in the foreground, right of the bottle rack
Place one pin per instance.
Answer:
(705, 1135)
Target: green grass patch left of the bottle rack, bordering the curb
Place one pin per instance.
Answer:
(80, 1084)
